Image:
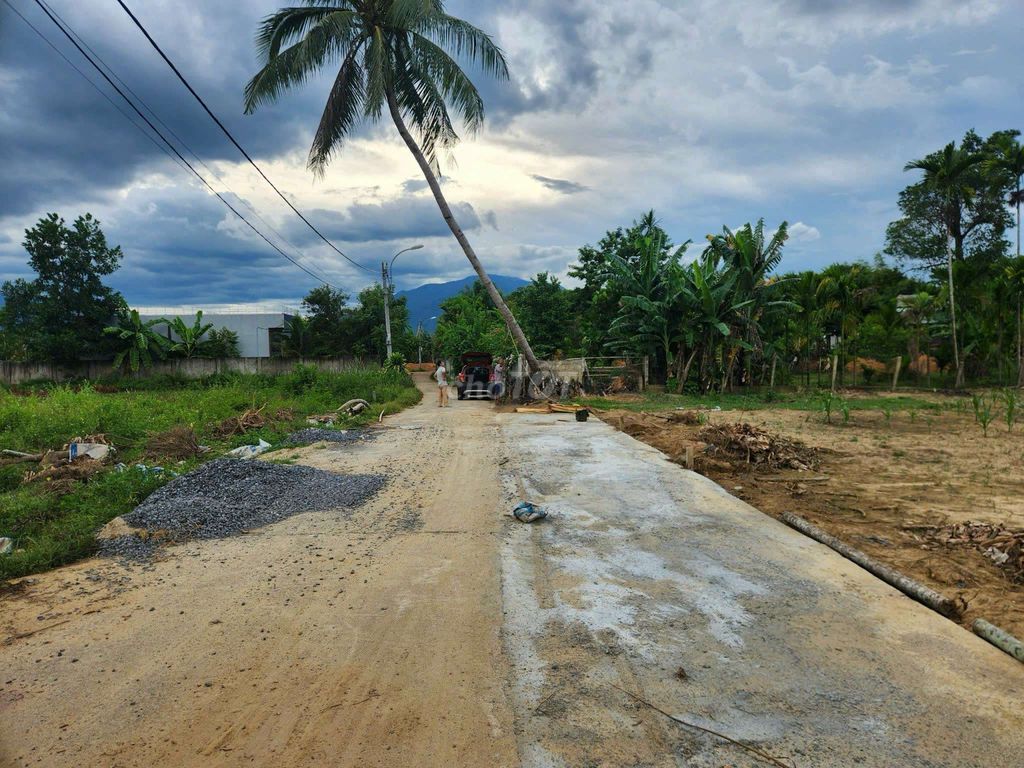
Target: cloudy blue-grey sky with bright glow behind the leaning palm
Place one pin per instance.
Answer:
(710, 112)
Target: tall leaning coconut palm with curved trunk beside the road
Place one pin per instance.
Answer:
(396, 54)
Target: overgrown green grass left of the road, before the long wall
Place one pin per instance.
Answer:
(52, 530)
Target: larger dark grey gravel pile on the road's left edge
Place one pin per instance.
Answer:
(228, 496)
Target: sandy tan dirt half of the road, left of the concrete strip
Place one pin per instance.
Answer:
(372, 641)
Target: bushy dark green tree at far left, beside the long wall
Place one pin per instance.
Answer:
(61, 315)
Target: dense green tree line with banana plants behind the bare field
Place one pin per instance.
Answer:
(946, 295)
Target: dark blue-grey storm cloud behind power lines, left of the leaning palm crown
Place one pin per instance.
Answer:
(64, 140)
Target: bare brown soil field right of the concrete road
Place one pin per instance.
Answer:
(929, 494)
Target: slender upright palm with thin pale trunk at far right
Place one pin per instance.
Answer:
(947, 174)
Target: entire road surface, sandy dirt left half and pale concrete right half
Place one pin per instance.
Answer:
(426, 629)
